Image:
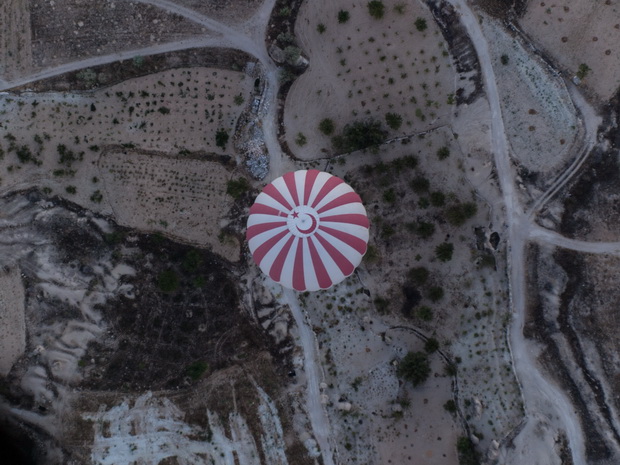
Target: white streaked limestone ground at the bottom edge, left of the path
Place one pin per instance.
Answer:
(150, 428)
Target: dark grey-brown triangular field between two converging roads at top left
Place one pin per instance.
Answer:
(78, 29)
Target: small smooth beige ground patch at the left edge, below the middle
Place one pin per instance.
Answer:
(12, 320)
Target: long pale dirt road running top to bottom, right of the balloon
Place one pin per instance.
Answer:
(546, 405)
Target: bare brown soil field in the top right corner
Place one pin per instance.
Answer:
(577, 32)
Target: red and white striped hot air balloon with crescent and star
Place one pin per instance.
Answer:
(308, 230)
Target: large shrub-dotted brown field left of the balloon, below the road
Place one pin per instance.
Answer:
(176, 113)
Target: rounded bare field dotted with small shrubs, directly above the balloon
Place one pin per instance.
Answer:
(366, 68)
